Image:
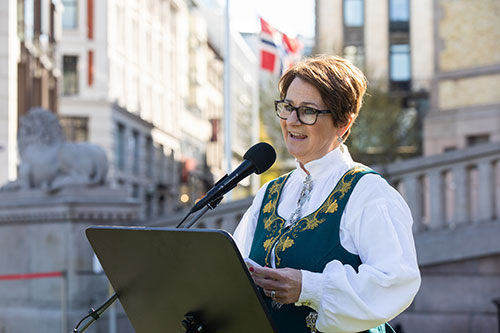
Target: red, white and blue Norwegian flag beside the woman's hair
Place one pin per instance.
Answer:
(278, 51)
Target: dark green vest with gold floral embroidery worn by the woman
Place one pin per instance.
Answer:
(310, 244)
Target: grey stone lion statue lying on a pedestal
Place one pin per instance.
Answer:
(49, 162)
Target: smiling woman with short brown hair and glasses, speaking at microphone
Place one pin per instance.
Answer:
(334, 237)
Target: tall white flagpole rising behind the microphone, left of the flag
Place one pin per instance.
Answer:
(227, 97)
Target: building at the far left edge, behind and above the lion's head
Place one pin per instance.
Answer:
(29, 33)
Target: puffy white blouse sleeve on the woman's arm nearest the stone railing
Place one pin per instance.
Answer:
(378, 223)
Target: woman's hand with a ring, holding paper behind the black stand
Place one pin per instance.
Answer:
(285, 284)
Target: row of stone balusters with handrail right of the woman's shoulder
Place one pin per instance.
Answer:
(450, 189)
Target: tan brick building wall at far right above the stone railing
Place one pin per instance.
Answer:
(465, 104)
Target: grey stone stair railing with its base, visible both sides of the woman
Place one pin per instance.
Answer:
(453, 194)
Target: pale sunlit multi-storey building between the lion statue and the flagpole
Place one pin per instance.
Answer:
(125, 84)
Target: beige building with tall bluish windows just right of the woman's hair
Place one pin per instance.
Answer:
(391, 41)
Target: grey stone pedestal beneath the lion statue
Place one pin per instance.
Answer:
(41, 233)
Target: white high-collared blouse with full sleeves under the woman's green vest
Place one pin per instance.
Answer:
(375, 225)
